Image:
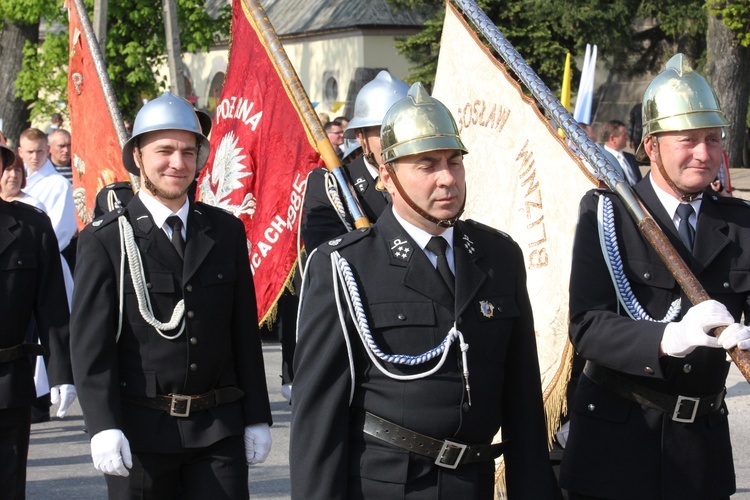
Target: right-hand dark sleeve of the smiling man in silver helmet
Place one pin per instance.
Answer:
(247, 348)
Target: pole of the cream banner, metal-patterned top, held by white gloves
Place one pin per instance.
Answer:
(645, 222)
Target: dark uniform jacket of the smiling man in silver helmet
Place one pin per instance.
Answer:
(219, 348)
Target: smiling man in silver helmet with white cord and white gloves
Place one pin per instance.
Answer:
(165, 341)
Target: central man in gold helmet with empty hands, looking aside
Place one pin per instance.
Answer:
(420, 329)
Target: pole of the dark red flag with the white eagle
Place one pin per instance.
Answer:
(300, 99)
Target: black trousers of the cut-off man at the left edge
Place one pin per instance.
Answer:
(15, 426)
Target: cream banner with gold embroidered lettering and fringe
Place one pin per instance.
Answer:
(521, 179)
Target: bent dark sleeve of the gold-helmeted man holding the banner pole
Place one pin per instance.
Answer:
(597, 330)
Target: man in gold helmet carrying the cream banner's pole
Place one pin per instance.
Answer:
(648, 418)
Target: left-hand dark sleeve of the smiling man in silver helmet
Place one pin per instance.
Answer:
(93, 324)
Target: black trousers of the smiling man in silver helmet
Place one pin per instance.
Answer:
(216, 472)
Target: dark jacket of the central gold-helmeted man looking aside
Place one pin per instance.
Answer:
(410, 311)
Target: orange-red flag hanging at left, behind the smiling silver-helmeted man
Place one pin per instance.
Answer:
(96, 156)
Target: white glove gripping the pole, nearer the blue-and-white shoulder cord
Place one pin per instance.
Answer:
(682, 337)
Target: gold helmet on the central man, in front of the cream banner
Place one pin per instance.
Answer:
(416, 124)
